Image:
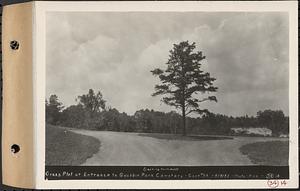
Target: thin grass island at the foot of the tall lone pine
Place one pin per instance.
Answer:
(186, 138)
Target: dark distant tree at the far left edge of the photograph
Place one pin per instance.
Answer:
(53, 110)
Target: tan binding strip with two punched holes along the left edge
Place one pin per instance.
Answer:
(17, 111)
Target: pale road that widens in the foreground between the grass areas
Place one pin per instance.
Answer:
(120, 148)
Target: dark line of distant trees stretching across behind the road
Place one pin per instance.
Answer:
(91, 112)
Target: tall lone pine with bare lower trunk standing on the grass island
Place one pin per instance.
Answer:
(182, 79)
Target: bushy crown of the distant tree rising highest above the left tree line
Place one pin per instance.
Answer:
(92, 102)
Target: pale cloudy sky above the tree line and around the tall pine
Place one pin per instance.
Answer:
(114, 52)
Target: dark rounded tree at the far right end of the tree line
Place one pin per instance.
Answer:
(274, 120)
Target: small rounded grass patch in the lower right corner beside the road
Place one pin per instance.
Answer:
(274, 153)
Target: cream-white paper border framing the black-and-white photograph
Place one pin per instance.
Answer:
(227, 6)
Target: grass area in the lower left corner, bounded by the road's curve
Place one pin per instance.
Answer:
(64, 147)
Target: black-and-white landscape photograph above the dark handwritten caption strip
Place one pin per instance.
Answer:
(177, 89)
